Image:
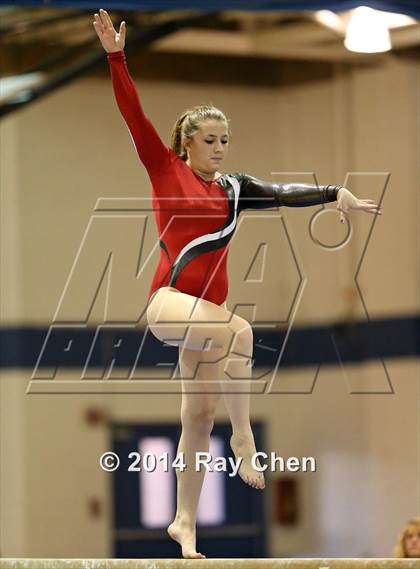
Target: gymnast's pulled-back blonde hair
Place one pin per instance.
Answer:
(189, 124)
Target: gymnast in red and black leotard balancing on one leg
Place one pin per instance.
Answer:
(196, 209)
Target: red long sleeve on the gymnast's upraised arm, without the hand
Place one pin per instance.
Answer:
(150, 148)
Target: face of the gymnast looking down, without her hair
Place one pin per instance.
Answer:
(207, 148)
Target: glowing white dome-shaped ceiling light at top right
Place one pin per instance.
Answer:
(367, 32)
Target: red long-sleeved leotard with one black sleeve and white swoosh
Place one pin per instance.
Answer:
(196, 218)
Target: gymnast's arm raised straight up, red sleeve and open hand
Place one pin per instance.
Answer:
(152, 151)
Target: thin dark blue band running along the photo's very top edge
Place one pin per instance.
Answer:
(409, 7)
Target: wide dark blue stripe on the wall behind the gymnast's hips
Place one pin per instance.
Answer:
(71, 347)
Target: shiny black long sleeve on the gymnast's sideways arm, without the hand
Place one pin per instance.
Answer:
(258, 194)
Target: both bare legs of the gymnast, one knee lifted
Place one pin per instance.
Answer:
(194, 325)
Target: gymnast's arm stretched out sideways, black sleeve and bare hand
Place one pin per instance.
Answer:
(257, 194)
